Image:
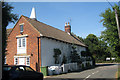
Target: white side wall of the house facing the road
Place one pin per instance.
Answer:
(47, 51)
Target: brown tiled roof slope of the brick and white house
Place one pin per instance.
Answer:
(51, 32)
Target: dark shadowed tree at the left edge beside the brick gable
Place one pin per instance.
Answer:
(7, 17)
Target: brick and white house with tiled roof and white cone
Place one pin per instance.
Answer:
(32, 43)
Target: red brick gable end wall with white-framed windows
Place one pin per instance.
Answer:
(31, 43)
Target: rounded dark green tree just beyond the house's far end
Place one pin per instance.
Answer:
(96, 47)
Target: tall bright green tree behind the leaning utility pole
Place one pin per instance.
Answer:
(110, 34)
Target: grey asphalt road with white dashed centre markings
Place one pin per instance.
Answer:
(101, 72)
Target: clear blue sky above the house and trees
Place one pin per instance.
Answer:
(84, 16)
